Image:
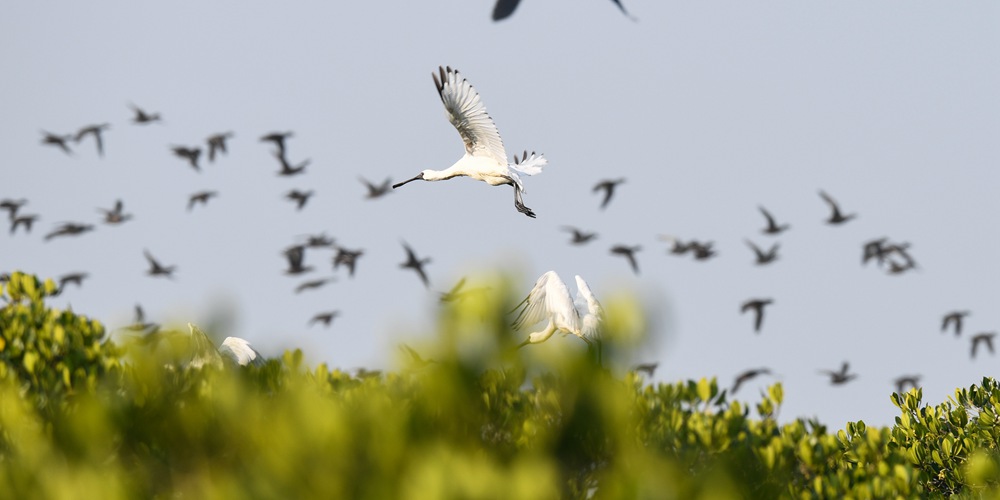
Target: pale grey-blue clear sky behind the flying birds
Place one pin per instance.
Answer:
(707, 109)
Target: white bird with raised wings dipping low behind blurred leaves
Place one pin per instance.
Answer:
(550, 300)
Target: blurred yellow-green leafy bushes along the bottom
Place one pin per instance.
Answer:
(465, 416)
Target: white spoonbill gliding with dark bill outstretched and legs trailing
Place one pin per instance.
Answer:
(485, 158)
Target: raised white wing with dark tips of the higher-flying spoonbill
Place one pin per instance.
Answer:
(468, 114)
